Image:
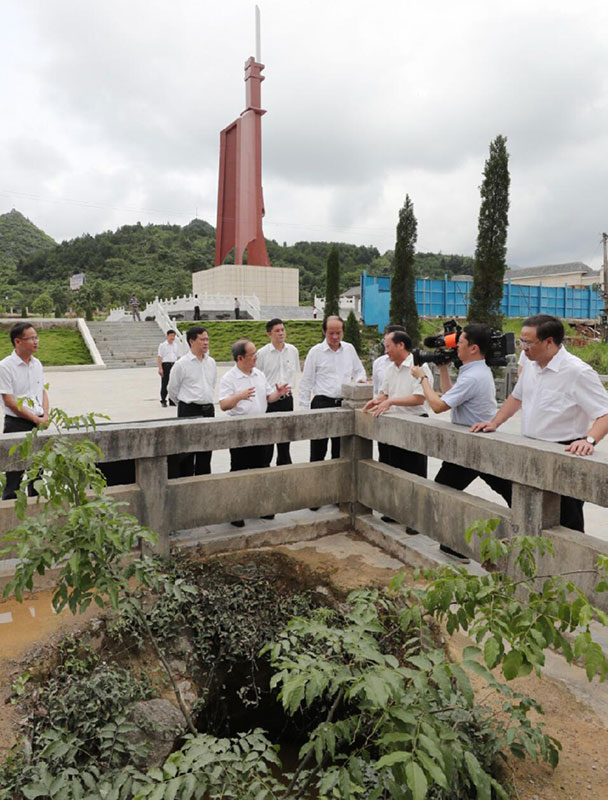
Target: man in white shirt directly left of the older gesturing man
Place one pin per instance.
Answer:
(191, 387)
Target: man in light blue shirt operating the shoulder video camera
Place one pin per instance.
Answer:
(469, 399)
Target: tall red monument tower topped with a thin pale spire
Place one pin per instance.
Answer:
(240, 203)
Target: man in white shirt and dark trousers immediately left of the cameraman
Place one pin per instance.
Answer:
(401, 395)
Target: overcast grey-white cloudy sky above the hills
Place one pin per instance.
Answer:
(111, 113)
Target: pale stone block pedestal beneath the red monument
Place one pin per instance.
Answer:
(273, 286)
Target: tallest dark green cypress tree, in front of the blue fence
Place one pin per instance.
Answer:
(491, 250)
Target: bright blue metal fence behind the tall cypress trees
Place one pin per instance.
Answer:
(444, 298)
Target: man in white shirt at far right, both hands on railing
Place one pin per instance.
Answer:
(561, 400)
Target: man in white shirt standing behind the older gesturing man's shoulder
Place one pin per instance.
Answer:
(280, 363)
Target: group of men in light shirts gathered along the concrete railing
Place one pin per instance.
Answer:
(561, 397)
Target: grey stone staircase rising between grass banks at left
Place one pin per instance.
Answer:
(127, 344)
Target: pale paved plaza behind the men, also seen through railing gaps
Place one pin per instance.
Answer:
(129, 395)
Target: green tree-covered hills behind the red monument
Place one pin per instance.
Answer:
(160, 259)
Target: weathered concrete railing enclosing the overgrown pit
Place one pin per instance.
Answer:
(540, 471)
